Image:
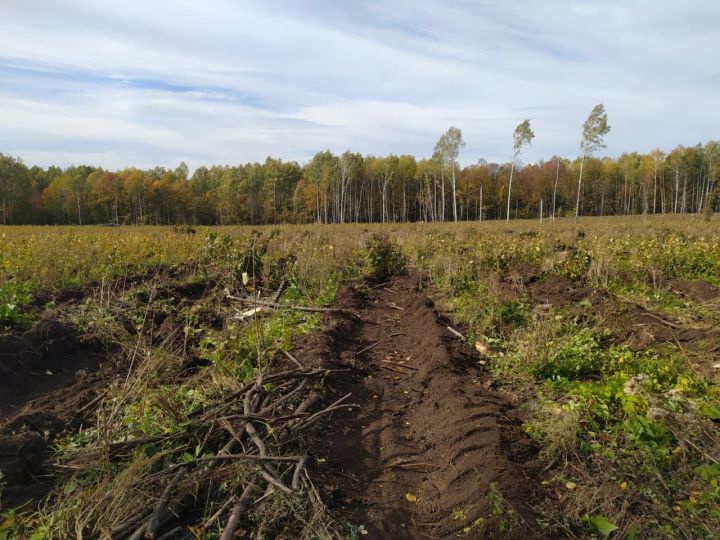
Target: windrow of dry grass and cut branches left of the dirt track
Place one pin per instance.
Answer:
(235, 464)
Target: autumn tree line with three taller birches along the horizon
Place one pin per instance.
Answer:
(355, 188)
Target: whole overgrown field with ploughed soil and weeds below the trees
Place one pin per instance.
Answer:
(470, 380)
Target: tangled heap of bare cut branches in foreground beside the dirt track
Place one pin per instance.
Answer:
(259, 423)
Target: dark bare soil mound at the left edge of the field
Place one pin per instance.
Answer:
(47, 377)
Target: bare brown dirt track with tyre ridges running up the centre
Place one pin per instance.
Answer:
(428, 426)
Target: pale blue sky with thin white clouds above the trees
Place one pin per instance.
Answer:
(149, 83)
